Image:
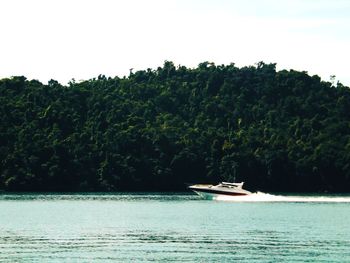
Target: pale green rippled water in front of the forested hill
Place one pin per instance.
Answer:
(171, 227)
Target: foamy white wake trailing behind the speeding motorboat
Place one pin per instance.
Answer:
(264, 197)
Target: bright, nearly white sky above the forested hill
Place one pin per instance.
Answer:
(80, 39)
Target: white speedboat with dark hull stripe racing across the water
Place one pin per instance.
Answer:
(209, 191)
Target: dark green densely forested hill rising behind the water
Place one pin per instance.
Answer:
(160, 129)
